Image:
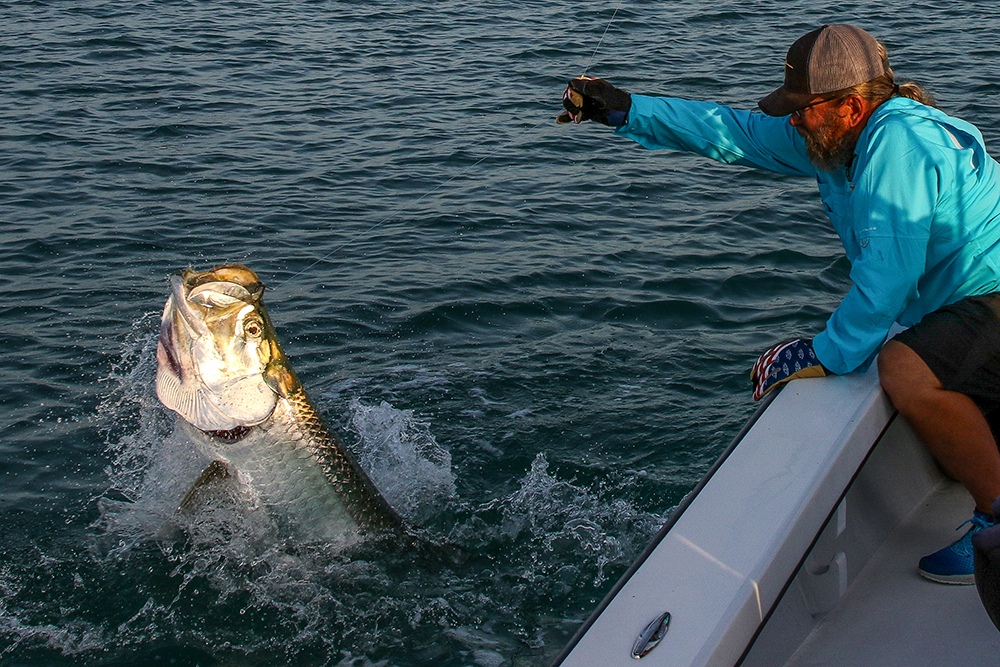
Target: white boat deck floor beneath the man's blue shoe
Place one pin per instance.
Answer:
(892, 617)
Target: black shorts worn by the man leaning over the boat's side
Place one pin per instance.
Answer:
(961, 345)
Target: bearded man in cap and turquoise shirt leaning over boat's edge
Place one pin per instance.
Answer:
(915, 199)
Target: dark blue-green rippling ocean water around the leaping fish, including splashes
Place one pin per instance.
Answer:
(535, 337)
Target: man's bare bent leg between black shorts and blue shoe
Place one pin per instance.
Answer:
(949, 424)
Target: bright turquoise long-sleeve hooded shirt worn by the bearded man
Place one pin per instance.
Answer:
(918, 212)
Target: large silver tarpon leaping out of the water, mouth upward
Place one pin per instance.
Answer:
(221, 369)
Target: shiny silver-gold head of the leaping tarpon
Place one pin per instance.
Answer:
(219, 364)
